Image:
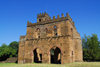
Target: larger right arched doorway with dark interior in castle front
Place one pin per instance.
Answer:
(55, 55)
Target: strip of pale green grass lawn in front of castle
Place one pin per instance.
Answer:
(74, 64)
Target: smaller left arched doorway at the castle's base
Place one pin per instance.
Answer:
(37, 55)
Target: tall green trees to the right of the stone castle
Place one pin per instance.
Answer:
(91, 50)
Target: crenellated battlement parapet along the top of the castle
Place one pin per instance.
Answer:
(49, 20)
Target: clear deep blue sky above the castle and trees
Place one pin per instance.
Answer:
(14, 15)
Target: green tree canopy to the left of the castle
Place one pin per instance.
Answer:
(10, 50)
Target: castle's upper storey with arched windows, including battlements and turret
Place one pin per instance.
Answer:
(47, 27)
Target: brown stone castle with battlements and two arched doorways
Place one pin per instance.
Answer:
(50, 41)
